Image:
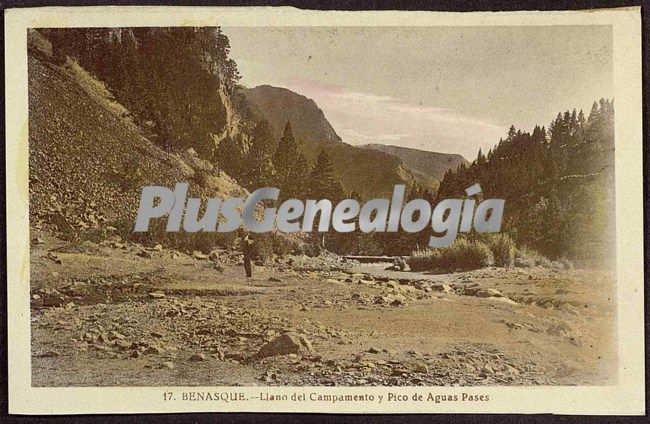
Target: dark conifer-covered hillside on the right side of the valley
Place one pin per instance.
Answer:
(558, 184)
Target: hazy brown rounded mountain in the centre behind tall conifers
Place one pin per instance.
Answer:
(367, 172)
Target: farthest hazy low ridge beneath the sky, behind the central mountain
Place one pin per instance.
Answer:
(430, 163)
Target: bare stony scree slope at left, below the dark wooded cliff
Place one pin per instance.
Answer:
(77, 181)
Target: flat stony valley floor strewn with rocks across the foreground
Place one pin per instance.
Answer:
(116, 314)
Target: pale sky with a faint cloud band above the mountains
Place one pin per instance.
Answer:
(445, 89)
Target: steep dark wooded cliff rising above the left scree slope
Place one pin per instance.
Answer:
(177, 82)
